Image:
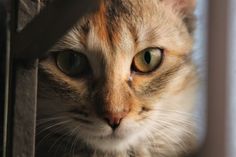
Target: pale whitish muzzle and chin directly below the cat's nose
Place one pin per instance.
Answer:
(99, 133)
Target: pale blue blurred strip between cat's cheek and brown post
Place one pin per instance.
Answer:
(200, 58)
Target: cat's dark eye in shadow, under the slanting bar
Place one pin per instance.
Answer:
(72, 63)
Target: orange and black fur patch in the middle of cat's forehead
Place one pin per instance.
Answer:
(110, 18)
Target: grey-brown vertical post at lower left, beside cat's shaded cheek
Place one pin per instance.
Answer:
(24, 109)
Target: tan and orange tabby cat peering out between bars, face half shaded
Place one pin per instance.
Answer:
(121, 83)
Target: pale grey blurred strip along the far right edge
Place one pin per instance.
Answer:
(232, 78)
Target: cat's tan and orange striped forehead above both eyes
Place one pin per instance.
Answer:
(125, 24)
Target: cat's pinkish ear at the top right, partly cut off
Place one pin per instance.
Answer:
(186, 9)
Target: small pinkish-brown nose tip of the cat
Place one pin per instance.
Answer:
(114, 119)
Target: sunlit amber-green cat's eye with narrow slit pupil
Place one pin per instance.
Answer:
(147, 60)
